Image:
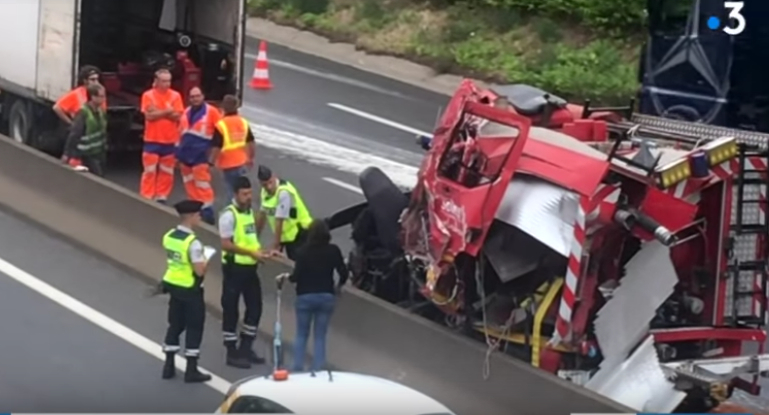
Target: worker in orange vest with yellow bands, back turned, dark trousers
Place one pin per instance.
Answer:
(233, 143)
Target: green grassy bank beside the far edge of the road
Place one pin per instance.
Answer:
(575, 48)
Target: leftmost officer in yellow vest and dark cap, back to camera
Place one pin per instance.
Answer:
(183, 280)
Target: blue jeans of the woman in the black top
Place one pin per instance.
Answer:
(312, 309)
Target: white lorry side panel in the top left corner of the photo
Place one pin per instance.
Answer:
(18, 49)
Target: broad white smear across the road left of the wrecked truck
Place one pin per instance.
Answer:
(331, 155)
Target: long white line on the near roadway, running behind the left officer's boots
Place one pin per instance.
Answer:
(99, 319)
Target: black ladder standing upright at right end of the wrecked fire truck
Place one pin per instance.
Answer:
(758, 266)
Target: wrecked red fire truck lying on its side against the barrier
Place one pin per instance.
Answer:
(592, 243)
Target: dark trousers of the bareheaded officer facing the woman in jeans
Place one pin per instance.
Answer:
(240, 280)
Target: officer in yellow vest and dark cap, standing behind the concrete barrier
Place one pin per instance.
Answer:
(283, 208)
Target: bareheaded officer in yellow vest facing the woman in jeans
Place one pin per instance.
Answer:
(241, 252)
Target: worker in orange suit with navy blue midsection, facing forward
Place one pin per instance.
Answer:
(197, 128)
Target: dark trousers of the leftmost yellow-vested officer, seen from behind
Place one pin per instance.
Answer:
(186, 313)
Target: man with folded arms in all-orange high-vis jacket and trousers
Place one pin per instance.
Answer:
(162, 108)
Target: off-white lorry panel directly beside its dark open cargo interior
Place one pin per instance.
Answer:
(56, 48)
